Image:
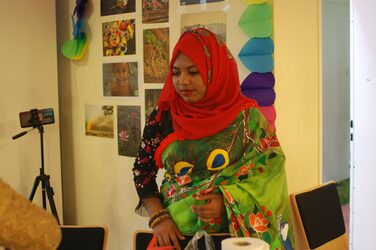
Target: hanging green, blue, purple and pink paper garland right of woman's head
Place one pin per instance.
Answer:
(257, 56)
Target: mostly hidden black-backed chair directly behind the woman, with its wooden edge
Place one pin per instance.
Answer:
(142, 238)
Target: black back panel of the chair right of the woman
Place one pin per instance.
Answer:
(321, 214)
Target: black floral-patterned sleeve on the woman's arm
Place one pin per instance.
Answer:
(145, 169)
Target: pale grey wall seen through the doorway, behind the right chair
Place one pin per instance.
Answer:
(336, 89)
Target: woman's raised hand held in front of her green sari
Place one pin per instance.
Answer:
(212, 210)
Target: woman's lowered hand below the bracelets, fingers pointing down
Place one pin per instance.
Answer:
(167, 233)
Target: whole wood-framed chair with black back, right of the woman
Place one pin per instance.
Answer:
(318, 219)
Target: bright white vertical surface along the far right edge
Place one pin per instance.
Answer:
(364, 102)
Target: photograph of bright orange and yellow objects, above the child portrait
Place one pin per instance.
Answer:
(119, 38)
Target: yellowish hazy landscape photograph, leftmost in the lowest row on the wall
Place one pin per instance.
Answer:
(99, 120)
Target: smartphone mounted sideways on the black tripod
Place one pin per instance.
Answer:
(35, 117)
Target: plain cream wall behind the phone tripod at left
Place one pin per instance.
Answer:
(28, 78)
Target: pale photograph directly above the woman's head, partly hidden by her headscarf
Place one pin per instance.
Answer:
(213, 20)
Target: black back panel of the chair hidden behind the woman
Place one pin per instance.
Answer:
(143, 239)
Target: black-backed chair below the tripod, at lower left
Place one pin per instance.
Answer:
(83, 237)
